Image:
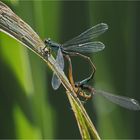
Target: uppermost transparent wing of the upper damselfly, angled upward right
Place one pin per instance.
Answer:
(89, 34)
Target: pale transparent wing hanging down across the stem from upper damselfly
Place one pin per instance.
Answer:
(60, 64)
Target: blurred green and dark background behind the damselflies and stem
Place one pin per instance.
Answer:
(30, 108)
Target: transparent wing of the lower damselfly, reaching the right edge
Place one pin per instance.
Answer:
(125, 102)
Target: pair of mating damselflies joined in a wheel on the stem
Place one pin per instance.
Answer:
(75, 47)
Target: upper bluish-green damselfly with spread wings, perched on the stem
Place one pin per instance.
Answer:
(76, 46)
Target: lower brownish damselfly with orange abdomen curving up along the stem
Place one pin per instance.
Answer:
(84, 90)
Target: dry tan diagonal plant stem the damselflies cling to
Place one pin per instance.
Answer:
(14, 26)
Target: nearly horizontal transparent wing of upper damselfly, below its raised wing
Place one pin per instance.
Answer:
(89, 47)
